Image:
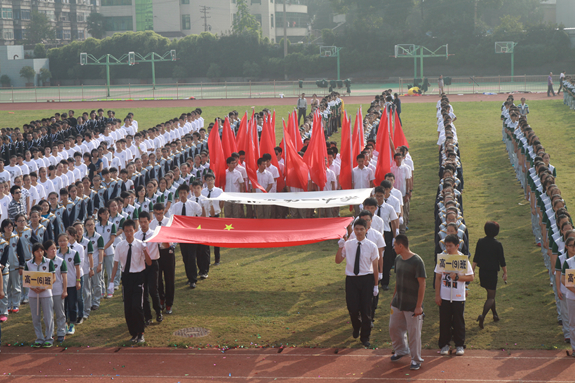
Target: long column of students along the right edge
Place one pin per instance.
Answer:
(551, 223)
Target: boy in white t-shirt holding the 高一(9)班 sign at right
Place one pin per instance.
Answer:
(450, 297)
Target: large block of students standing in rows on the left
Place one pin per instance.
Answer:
(71, 190)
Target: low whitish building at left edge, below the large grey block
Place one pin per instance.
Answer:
(12, 60)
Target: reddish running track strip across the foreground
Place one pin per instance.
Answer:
(141, 364)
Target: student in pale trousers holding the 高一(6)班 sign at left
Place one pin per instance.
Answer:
(41, 298)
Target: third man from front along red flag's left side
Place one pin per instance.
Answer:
(167, 263)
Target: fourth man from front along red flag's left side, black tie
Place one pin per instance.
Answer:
(189, 251)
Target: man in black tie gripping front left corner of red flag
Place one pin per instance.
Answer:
(131, 253)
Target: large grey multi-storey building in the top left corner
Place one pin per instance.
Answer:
(68, 17)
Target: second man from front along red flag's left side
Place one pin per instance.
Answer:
(151, 273)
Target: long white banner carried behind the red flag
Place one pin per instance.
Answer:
(302, 200)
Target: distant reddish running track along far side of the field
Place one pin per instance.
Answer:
(81, 105)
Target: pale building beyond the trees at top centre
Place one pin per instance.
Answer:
(179, 18)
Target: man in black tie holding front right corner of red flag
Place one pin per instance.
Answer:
(361, 278)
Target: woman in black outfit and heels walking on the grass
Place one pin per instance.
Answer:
(489, 257)
